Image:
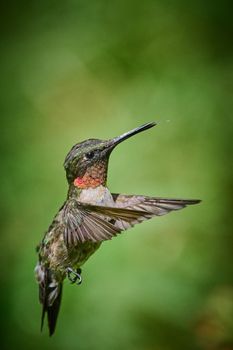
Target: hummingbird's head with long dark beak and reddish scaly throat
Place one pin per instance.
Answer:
(86, 164)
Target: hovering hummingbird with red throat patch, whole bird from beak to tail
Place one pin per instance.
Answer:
(90, 215)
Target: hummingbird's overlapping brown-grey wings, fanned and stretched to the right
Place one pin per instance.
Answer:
(86, 222)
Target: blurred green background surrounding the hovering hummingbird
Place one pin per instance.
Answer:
(71, 70)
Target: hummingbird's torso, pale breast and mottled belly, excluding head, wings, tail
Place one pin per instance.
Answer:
(53, 250)
